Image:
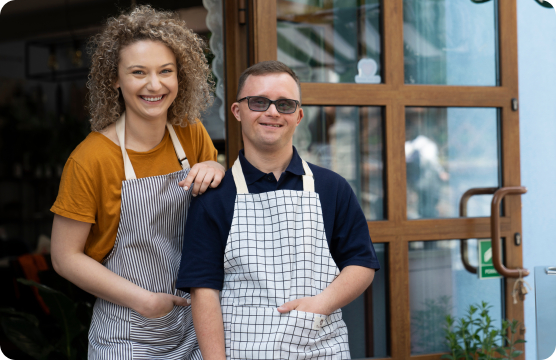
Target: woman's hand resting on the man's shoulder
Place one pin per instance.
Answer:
(202, 175)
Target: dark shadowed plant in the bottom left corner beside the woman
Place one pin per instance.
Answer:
(64, 336)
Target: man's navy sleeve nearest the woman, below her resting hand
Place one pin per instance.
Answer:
(202, 262)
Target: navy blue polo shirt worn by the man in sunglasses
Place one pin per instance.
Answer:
(210, 219)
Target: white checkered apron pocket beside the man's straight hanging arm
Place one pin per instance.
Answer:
(253, 332)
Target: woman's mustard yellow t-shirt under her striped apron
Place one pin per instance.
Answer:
(90, 188)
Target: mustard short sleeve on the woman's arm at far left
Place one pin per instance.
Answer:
(76, 197)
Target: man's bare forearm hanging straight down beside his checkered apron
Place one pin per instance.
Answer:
(208, 322)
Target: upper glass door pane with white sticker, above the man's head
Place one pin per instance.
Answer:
(336, 41)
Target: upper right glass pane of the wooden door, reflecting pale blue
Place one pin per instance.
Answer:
(450, 42)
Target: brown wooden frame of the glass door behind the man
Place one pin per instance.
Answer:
(256, 40)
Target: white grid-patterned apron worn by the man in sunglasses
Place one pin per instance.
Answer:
(277, 252)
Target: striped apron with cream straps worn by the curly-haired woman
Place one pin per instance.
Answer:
(147, 252)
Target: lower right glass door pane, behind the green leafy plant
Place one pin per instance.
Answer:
(439, 285)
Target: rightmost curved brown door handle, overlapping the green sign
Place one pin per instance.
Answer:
(495, 231)
